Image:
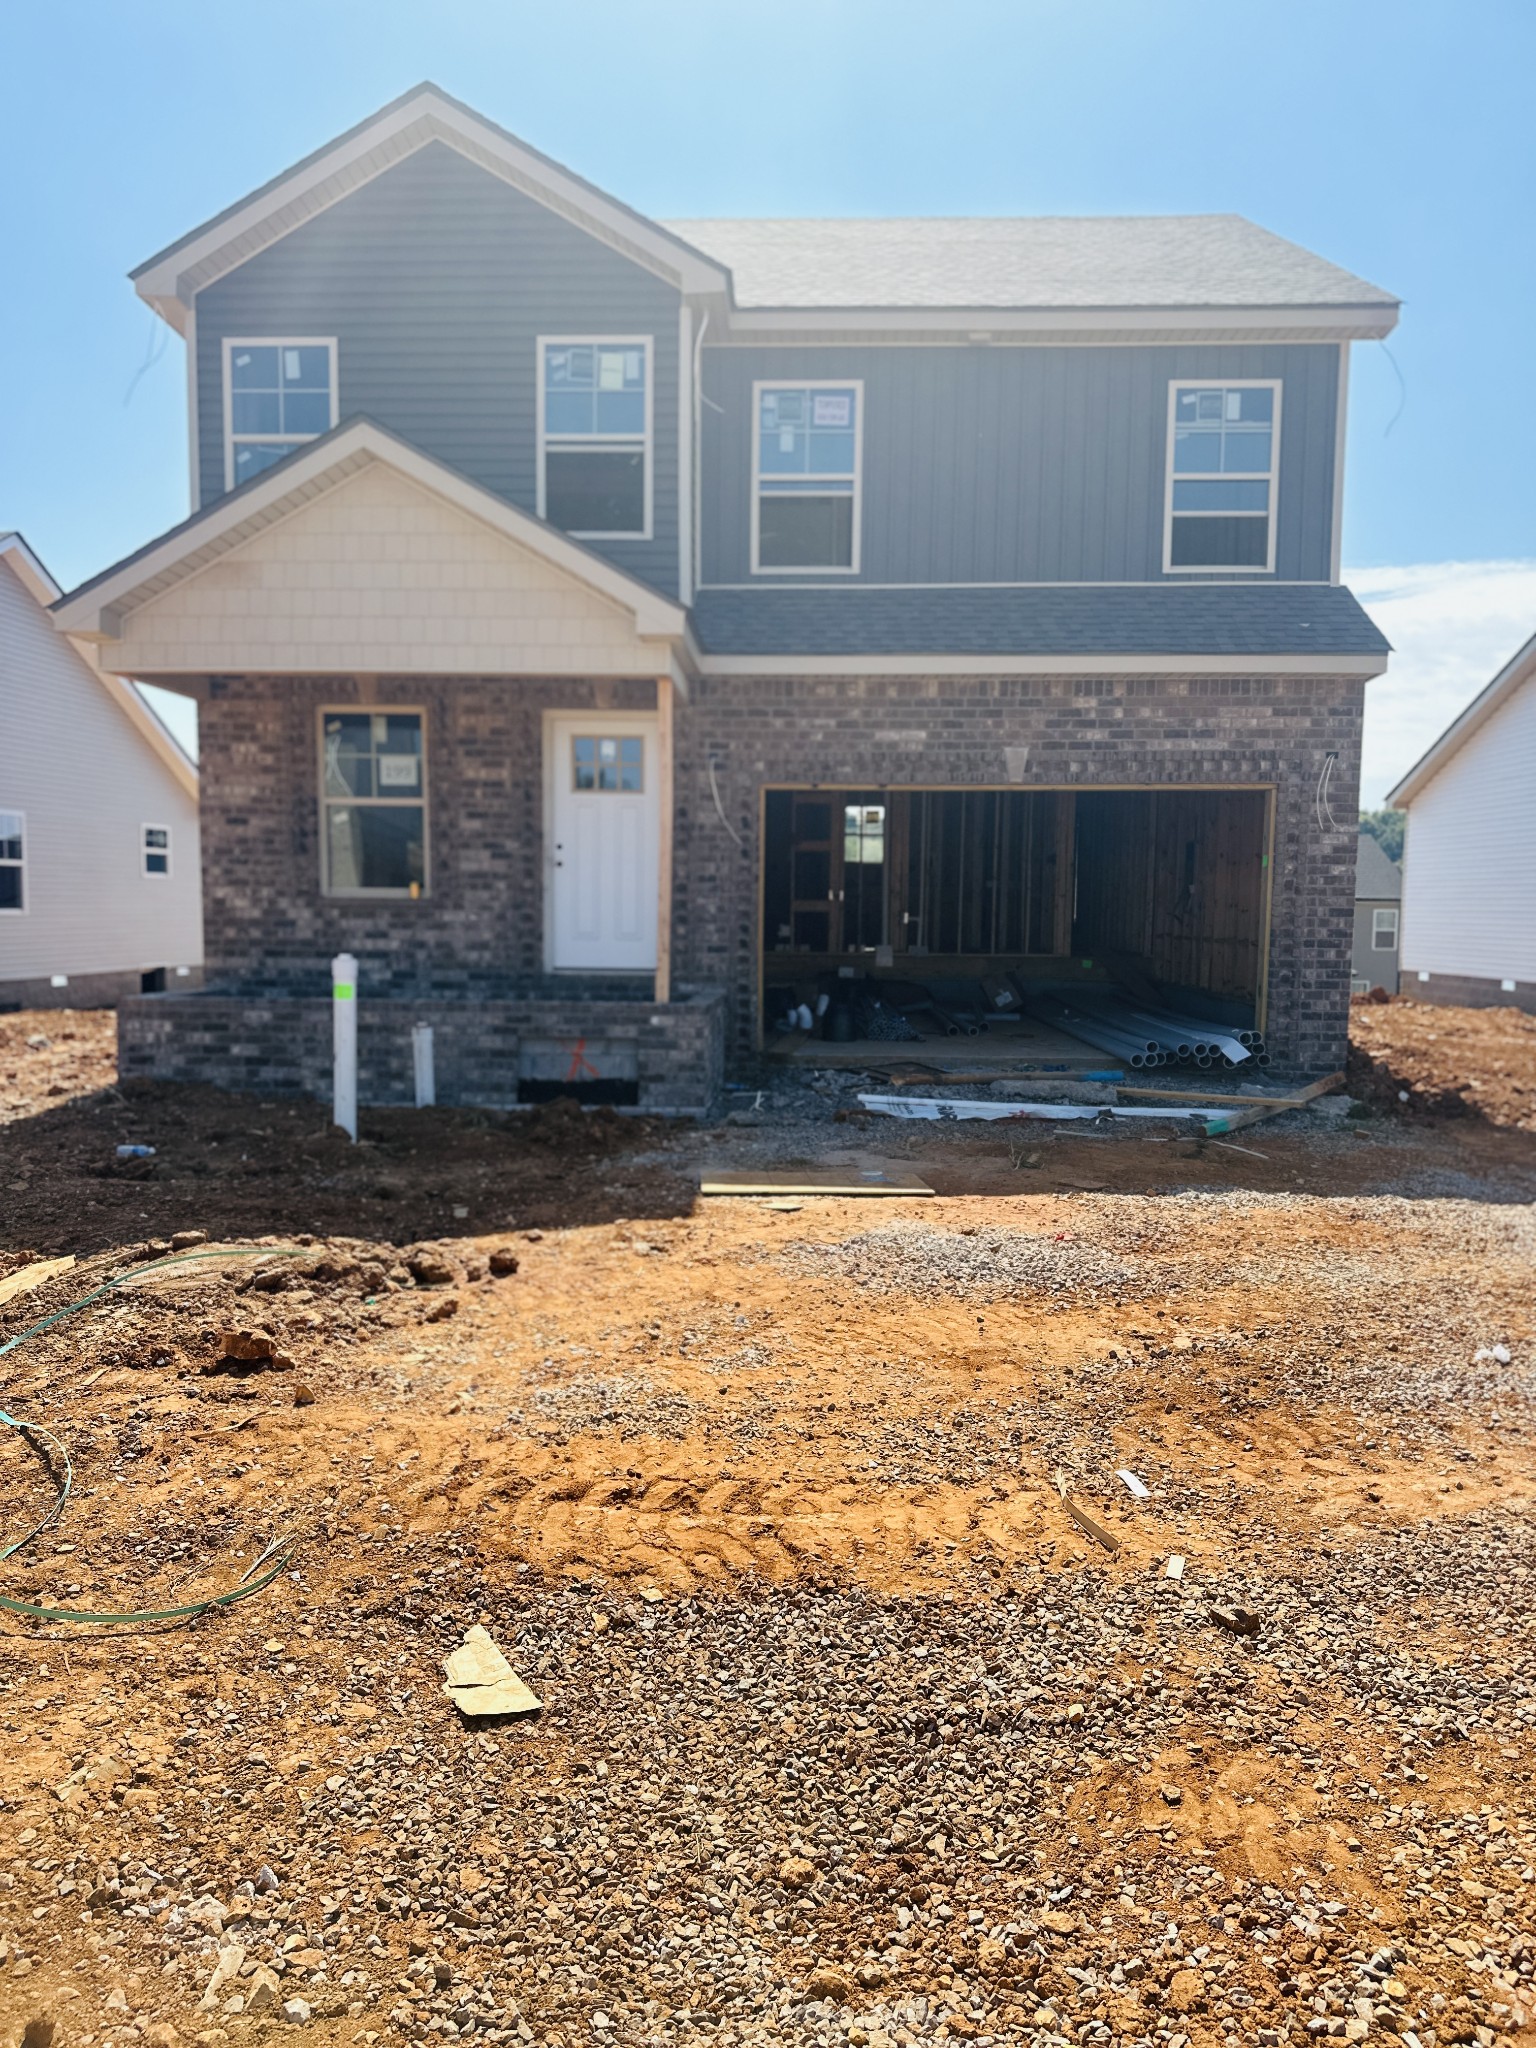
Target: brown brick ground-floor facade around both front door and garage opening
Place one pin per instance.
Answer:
(478, 933)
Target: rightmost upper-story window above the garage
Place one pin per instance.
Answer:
(1224, 458)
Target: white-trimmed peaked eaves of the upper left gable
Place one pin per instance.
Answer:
(427, 114)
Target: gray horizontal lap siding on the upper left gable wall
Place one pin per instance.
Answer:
(437, 280)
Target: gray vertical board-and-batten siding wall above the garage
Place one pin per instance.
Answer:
(1019, 464)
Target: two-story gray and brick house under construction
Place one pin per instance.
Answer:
(628, 632)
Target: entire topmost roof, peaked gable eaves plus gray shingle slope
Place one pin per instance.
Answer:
(1105, 271)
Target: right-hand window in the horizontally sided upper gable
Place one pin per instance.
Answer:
(595, 437)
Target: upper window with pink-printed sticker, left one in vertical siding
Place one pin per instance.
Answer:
(806, 486)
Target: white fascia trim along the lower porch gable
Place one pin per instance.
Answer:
(95, 611)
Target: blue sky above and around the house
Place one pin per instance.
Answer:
(1392, 136)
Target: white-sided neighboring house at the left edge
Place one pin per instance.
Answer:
(99, 851)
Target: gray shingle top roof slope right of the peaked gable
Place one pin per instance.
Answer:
(1127, 261)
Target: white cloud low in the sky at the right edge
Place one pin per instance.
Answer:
(1453, 626)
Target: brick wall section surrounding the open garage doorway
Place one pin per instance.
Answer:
(914, 732)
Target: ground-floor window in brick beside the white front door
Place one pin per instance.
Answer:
(374, 802)
